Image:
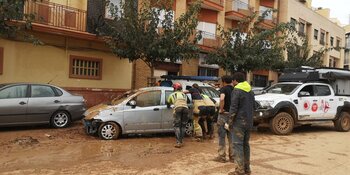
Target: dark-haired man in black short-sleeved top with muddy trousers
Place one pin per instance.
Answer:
(223, 132)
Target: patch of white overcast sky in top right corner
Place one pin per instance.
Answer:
(339, 8)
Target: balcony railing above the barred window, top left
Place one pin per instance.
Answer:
(56, 15)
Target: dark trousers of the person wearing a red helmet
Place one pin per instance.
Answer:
(180, 121)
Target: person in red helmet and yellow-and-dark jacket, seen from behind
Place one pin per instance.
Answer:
(179, 100)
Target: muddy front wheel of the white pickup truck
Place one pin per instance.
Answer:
(282, 124)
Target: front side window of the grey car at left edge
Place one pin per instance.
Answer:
(19, 91)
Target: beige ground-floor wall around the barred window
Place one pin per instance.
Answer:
(24, 62)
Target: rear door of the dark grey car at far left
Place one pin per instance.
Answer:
(42, 103)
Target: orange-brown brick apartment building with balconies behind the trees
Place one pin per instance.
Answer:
(213, 13)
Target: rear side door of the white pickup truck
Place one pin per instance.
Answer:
(328, 106)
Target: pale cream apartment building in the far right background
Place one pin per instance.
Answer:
(321, 31)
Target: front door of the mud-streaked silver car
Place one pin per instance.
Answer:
(146, 114)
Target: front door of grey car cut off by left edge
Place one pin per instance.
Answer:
(13, 104)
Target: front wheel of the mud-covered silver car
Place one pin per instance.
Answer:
(109, 131)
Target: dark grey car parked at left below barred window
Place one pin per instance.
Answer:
(29, 104)
